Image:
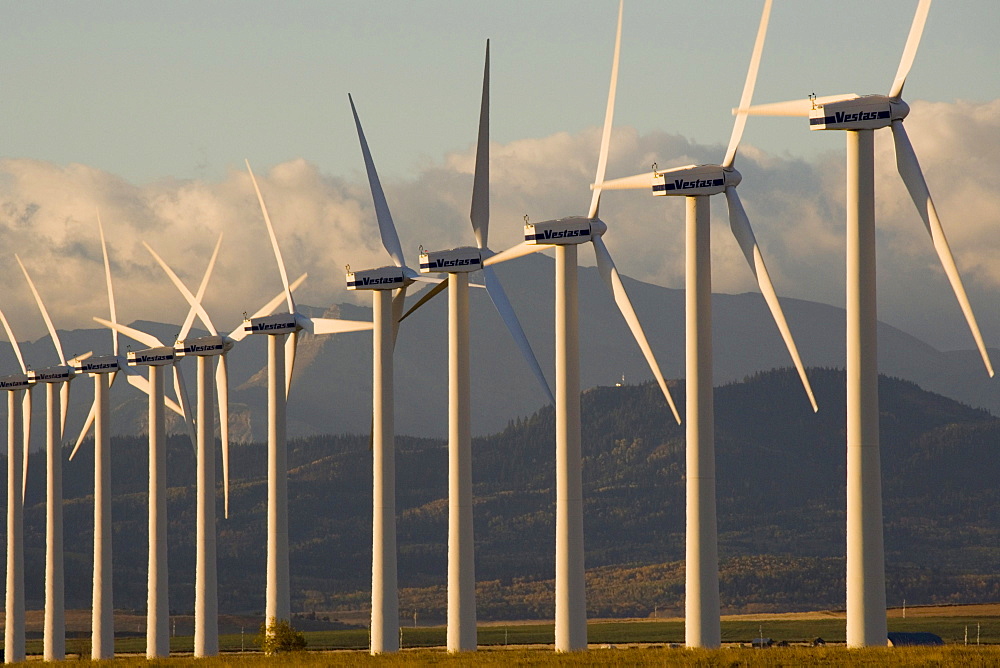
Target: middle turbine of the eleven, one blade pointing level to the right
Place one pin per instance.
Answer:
(279, 379)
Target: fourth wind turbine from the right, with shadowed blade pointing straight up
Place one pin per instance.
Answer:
(458, 263)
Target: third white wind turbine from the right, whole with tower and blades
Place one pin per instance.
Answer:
(565, 235)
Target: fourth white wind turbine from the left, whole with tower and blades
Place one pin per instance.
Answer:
(156, 357)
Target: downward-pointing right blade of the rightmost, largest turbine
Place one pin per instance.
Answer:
(913, 177)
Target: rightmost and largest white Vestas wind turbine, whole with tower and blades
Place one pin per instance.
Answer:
(860, 116)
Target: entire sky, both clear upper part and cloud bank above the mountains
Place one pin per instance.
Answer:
(147, 110)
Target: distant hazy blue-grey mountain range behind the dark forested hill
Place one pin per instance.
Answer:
(332, 390)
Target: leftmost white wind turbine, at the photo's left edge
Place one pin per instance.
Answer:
(17, 452)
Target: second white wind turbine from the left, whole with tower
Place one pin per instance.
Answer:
(54, 631)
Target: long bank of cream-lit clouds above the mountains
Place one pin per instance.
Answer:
(48, 216)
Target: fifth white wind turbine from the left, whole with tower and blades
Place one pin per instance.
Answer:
(206, 606)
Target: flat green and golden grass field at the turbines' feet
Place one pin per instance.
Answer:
(628, 642)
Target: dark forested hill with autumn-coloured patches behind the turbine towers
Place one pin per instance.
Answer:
(781, 478)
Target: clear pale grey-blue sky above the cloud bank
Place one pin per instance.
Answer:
(148, 90)
